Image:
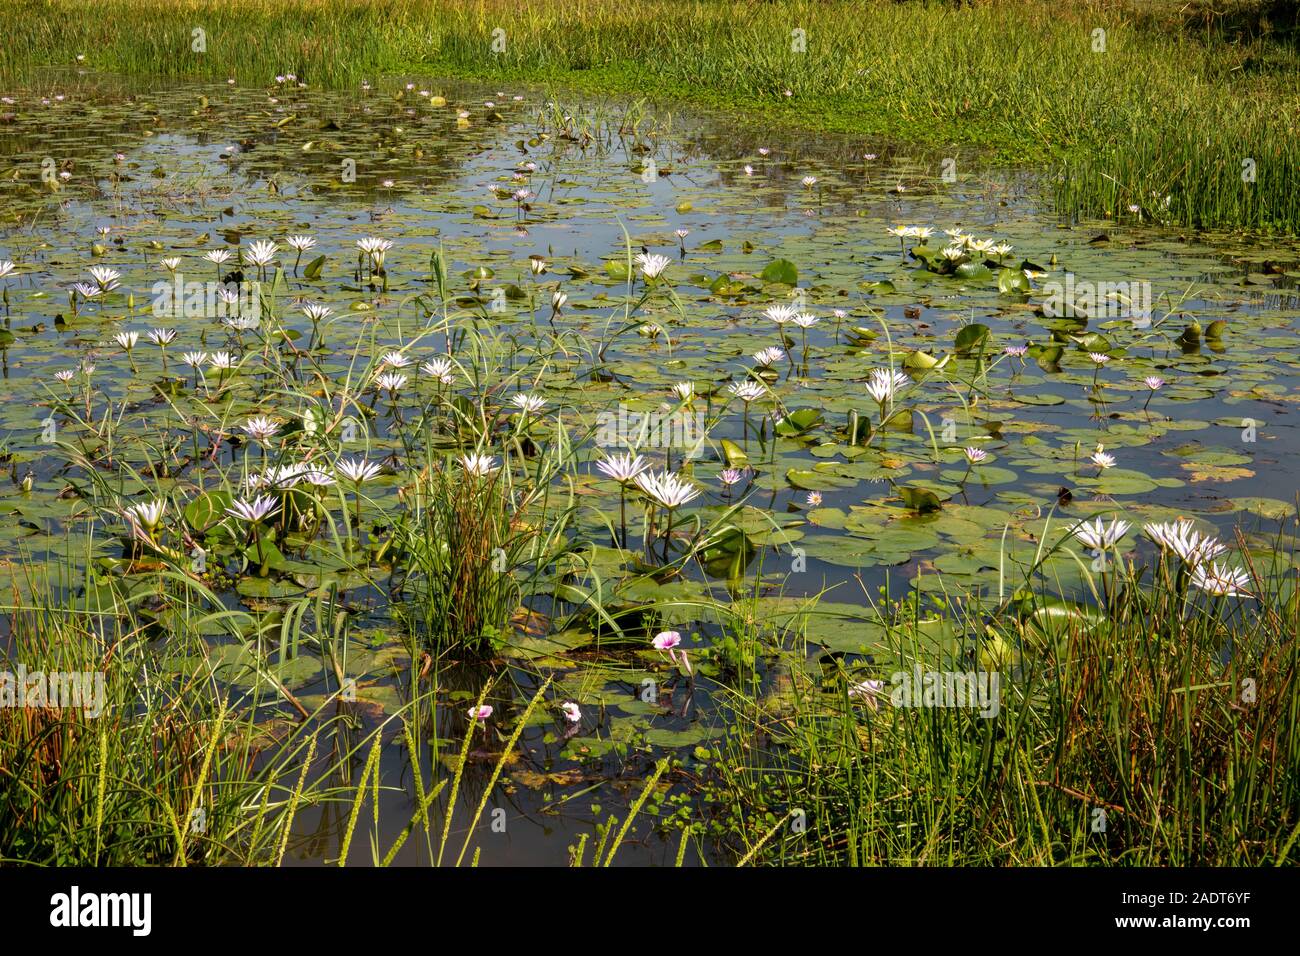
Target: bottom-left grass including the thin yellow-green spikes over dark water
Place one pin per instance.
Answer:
(176, 767)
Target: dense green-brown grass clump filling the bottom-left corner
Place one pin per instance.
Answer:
(170, 771)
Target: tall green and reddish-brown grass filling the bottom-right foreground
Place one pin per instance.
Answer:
(1129, 738)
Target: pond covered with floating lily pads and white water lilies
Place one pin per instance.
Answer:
(881, 371)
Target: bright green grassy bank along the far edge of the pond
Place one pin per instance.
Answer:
(1160, 118)
